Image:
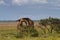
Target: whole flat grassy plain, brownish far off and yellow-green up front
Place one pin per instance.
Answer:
(8, 31)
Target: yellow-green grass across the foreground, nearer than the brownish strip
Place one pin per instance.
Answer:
(11, 35)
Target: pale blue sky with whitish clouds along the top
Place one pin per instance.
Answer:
(33, 9)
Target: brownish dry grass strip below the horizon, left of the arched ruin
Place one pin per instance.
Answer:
(6, 26)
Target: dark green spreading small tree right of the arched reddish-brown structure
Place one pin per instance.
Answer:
(53, 22)
